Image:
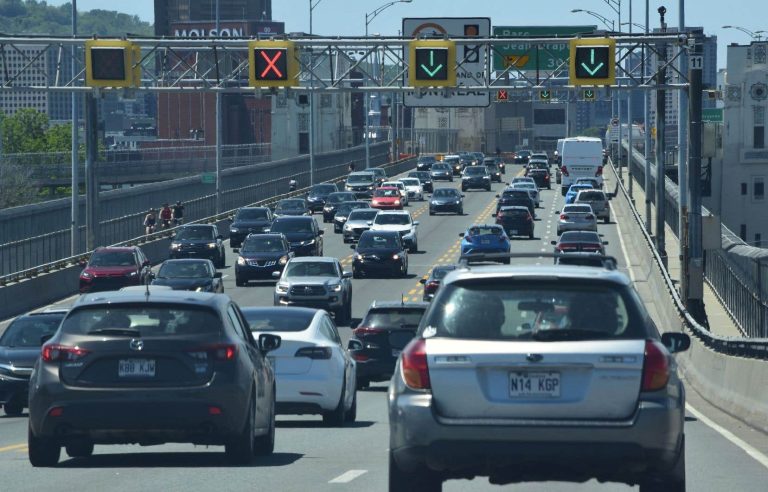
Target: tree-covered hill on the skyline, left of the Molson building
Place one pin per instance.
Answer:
(37, 17)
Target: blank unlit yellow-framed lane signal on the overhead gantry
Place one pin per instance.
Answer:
(110, 63)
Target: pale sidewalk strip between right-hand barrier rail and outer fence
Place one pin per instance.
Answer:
(720, 322)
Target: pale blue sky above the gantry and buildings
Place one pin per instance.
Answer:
(347, 18)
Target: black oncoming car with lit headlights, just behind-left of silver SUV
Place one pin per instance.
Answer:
(261, 256)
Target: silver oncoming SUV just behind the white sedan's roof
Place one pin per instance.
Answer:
(317, 282)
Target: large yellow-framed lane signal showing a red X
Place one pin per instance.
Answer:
(272, 64)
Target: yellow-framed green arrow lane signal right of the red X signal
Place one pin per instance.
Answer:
(432, 63)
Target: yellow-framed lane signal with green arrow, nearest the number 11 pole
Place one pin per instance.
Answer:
(593, 61)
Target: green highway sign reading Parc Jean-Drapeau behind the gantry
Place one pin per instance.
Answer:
(524, 56)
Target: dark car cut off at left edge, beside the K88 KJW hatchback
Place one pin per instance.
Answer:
(19, 349)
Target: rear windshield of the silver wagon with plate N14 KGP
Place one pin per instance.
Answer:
(557, 310)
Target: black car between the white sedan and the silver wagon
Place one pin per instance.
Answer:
(382, 334)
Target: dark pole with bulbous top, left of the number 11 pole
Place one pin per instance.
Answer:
(661, 115)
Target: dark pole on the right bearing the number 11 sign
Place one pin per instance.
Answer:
(695, 295)
